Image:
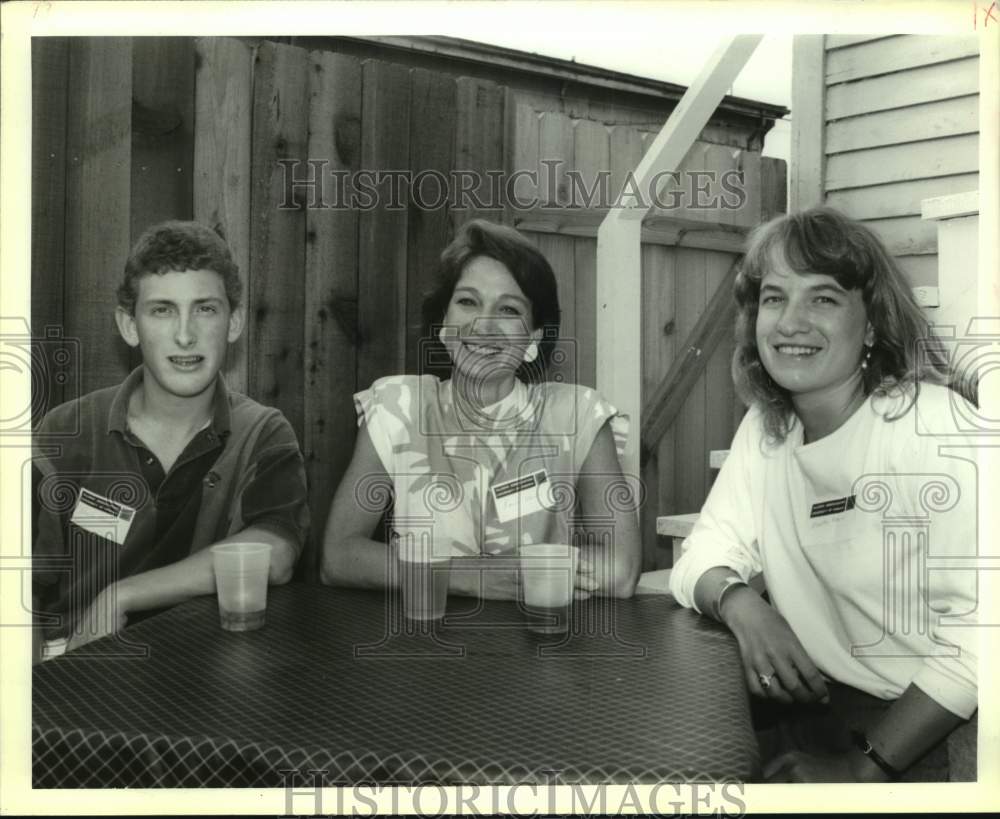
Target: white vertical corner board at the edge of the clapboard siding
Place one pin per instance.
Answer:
(808, 121)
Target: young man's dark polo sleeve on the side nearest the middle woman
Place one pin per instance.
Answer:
(276, 493)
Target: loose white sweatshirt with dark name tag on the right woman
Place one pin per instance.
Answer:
(848, 531)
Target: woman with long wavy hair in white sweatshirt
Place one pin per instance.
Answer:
(837, 491)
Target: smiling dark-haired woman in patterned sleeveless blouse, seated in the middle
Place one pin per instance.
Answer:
(442, 448)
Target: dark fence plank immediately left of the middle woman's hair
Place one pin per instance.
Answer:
(432, 134)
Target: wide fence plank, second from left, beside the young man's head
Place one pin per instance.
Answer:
(98, 185)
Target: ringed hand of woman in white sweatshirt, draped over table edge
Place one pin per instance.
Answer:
(774, 661)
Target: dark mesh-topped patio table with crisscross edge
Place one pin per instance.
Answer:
(338, 688)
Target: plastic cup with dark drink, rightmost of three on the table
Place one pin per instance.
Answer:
(548, 577)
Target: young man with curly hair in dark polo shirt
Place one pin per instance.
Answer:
(134, 482)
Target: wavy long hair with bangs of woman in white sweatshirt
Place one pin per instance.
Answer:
(823, 240)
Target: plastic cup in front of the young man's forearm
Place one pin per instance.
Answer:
(241, 581)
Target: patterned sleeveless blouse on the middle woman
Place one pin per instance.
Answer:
(444, 455)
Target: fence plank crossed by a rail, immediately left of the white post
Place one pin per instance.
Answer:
(592, 160)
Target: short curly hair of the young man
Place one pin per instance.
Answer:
(175, 247)
